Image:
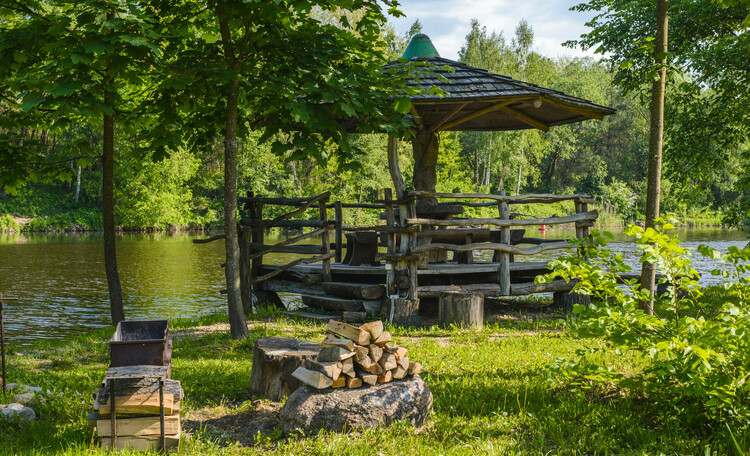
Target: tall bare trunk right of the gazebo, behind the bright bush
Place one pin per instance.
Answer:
(658, 89)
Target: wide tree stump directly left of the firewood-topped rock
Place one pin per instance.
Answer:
(274, 360)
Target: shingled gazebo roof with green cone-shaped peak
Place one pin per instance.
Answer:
(477, 100)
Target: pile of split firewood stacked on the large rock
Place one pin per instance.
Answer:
(354, 356)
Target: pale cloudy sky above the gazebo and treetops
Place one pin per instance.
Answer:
(447, 22)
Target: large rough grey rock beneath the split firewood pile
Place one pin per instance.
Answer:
(343, 409)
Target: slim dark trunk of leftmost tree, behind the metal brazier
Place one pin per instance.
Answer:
(108, 214)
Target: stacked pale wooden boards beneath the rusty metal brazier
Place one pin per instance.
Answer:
(138, 404)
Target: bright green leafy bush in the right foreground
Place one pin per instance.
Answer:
(694, 354)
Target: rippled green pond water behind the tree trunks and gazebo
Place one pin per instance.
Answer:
(62, 289)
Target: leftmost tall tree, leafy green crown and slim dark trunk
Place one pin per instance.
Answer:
(80, 60)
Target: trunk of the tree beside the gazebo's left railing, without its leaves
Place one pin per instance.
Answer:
(237, 323)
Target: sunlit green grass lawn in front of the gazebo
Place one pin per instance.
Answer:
(490, 387)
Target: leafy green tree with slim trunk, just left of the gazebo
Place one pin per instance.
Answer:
(283, 70)
